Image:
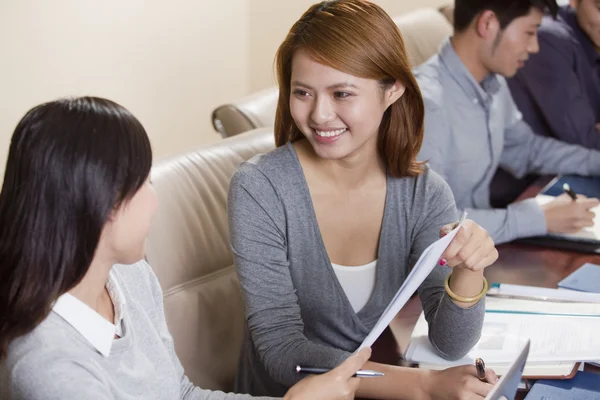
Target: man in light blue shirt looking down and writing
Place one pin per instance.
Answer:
(472, 124)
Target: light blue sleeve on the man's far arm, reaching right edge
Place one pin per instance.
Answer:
(525, 152)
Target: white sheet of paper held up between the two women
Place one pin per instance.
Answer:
(423, 267)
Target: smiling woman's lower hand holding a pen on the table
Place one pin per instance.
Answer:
(457, 383)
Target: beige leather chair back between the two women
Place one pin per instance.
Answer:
(188, 248)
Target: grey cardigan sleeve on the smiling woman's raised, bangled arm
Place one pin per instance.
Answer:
(453, 330)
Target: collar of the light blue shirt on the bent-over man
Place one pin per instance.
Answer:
(459, 71)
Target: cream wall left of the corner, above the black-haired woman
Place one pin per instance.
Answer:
(169, 62)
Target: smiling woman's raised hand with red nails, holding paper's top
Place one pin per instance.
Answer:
(472, 247)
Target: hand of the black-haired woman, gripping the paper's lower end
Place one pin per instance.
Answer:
(337, 384)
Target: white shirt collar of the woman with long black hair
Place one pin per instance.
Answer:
(94, 328)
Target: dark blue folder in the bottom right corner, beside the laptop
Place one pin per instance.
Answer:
(584, 386)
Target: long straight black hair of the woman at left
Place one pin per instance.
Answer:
(70, 163)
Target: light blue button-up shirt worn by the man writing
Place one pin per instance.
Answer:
(472, 128)
